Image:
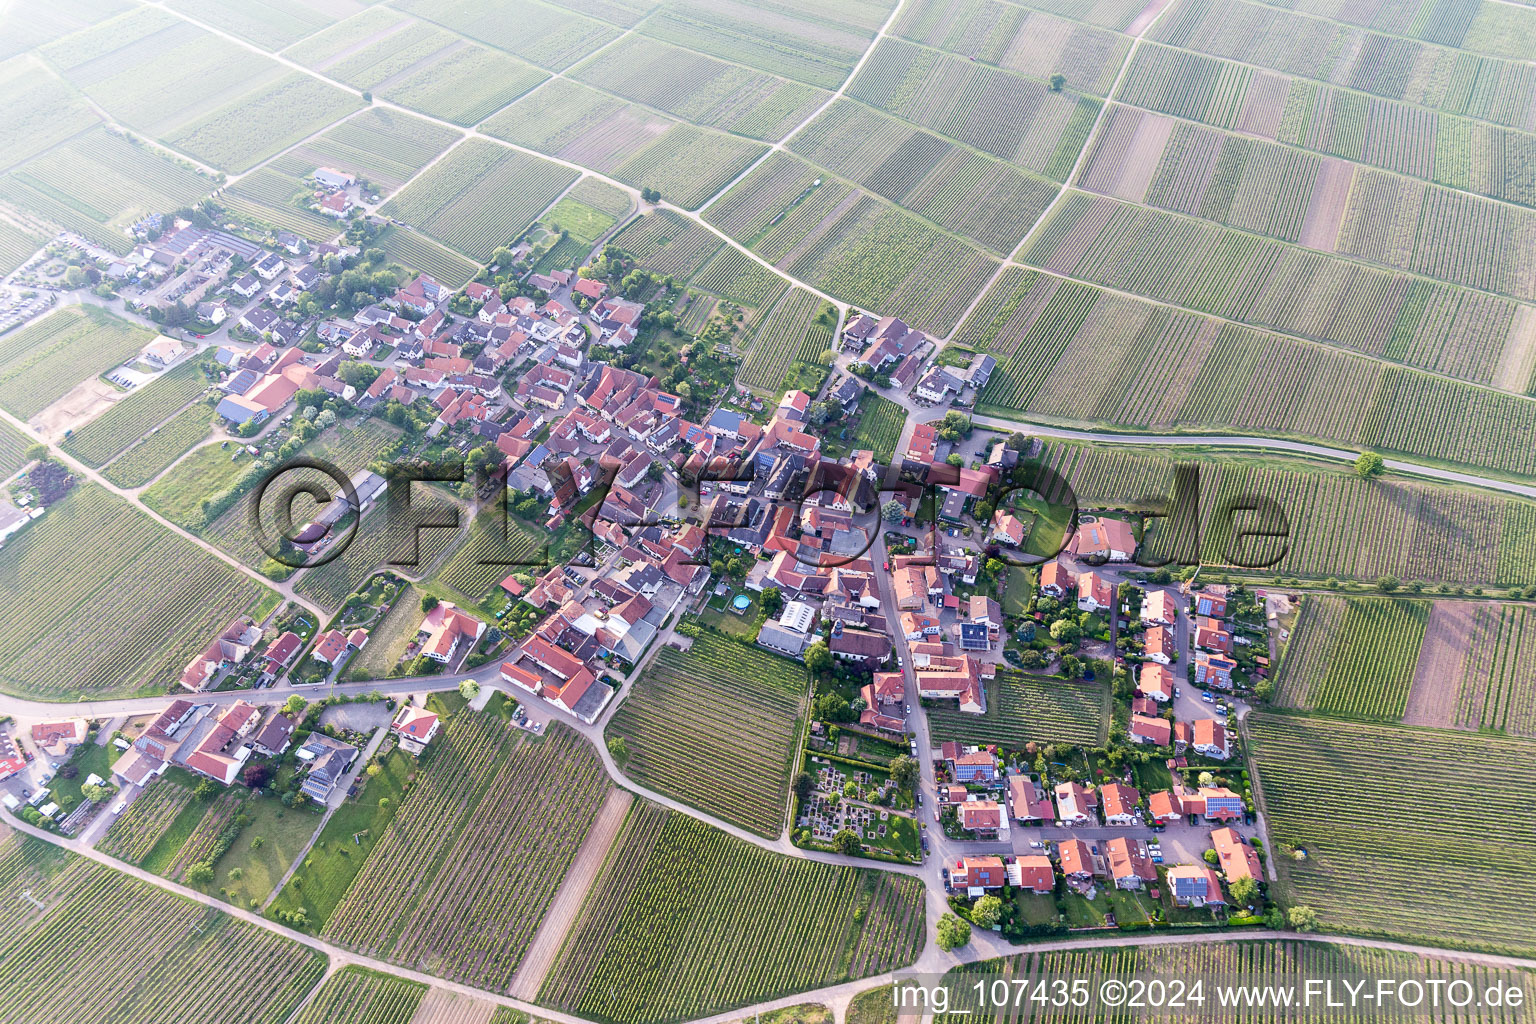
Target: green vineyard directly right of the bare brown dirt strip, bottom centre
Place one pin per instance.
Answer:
(689, 922)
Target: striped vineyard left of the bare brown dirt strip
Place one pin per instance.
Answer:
(491, 827)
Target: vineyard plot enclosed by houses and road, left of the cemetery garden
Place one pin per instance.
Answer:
(717, 728)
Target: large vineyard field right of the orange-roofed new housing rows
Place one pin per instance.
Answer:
(1380, 810)
